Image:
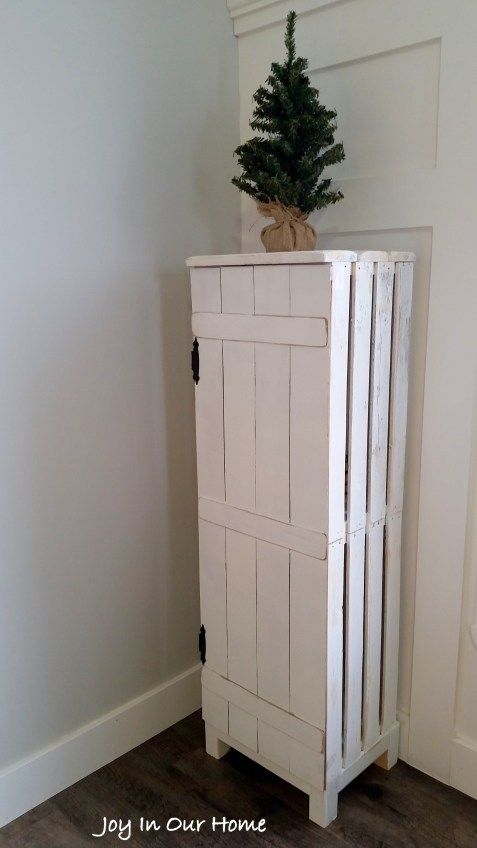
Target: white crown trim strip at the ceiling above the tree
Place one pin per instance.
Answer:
(249, 15)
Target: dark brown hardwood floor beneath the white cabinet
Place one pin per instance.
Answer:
(171, 776)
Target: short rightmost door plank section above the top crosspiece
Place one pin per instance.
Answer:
(310, 290)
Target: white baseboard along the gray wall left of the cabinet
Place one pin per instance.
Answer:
(27, 783)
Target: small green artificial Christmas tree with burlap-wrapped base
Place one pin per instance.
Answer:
(281, 169)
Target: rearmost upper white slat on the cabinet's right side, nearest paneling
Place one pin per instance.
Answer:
(401, 337)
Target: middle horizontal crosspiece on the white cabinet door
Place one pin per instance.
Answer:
(309, 542)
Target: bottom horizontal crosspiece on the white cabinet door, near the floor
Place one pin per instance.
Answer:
(287, 723)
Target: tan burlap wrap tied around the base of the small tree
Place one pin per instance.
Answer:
(290, 231)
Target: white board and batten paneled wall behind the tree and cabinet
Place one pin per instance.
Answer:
(405, 183)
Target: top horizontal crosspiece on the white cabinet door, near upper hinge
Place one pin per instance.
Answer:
(306, 332)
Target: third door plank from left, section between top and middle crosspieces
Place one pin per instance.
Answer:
(272, 363)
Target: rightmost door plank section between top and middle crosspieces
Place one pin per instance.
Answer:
(309, 420)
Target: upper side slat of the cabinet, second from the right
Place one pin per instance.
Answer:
(379, 390)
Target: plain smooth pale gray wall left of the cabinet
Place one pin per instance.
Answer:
(118, 122)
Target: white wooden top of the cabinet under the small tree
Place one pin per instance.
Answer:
(300, 257)
